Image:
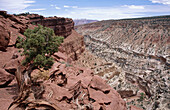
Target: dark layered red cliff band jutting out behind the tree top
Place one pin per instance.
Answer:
(61, 26)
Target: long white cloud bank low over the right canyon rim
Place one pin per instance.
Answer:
(102, 13)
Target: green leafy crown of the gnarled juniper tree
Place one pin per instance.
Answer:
(38, 46)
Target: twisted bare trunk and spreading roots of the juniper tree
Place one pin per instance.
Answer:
(26, 99)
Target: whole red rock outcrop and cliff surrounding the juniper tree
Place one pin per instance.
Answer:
(63, 87)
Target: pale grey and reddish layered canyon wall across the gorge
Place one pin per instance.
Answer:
(141, 48)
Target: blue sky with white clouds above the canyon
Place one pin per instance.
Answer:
(89, 9)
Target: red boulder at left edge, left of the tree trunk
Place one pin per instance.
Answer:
(5, 78)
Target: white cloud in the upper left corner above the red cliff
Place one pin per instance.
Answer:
(15, 6)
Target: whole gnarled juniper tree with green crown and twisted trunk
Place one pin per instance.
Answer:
(39, 44)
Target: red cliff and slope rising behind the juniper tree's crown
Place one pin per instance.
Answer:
(13, 26)
